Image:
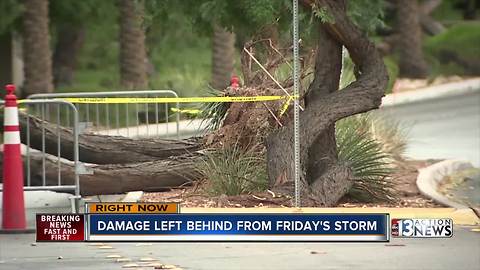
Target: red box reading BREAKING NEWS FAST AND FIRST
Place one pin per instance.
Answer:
(60, 227)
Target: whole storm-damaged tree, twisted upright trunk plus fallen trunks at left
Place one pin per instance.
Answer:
(156, 164)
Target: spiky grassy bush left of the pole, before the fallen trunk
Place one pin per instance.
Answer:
(234, 171)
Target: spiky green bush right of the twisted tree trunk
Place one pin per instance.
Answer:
(368, 146)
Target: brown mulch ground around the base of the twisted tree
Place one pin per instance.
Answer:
(406, 194)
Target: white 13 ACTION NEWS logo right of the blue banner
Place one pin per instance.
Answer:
(422, 228)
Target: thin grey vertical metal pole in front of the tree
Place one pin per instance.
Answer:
(296, 111)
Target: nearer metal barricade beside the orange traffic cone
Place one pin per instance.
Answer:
(40, 180)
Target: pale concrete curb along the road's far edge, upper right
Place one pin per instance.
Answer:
(446, 90)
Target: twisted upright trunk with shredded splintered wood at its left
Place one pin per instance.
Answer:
(324, 180)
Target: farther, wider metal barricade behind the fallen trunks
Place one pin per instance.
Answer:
(120, 119)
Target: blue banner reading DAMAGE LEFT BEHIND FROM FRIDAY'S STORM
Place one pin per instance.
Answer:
(237, 227)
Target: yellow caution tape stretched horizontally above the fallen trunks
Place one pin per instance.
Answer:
(125, 100)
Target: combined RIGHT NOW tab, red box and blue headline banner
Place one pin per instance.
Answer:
(164, 222)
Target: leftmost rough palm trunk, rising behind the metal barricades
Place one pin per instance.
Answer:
(36, 48)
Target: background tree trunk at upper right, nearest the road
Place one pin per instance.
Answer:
(409, 44)
